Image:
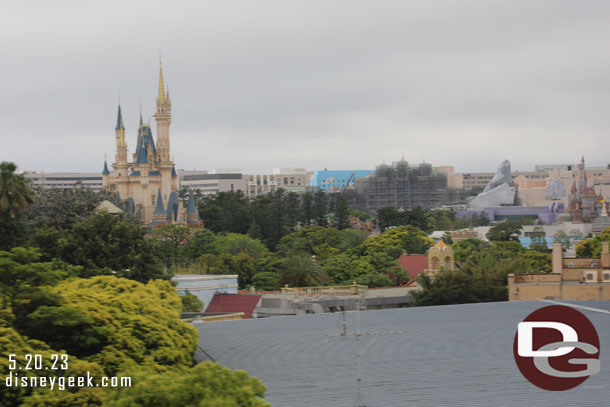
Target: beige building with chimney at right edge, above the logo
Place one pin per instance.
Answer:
(571, 279)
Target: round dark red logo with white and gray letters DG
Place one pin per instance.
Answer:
(556, 348)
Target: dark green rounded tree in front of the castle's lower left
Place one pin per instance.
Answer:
(105, 243)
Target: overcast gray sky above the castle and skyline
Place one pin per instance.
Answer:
(318, 84)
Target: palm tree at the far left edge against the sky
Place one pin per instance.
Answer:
(15, 194)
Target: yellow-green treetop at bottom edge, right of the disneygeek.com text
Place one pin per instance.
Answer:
(205, 385)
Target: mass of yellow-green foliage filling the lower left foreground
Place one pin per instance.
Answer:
(109, 326)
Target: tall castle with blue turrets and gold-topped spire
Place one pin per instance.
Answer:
(149, 183)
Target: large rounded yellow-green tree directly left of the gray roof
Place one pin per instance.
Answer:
(142, 322)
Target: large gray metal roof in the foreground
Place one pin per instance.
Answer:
(456, 355)
